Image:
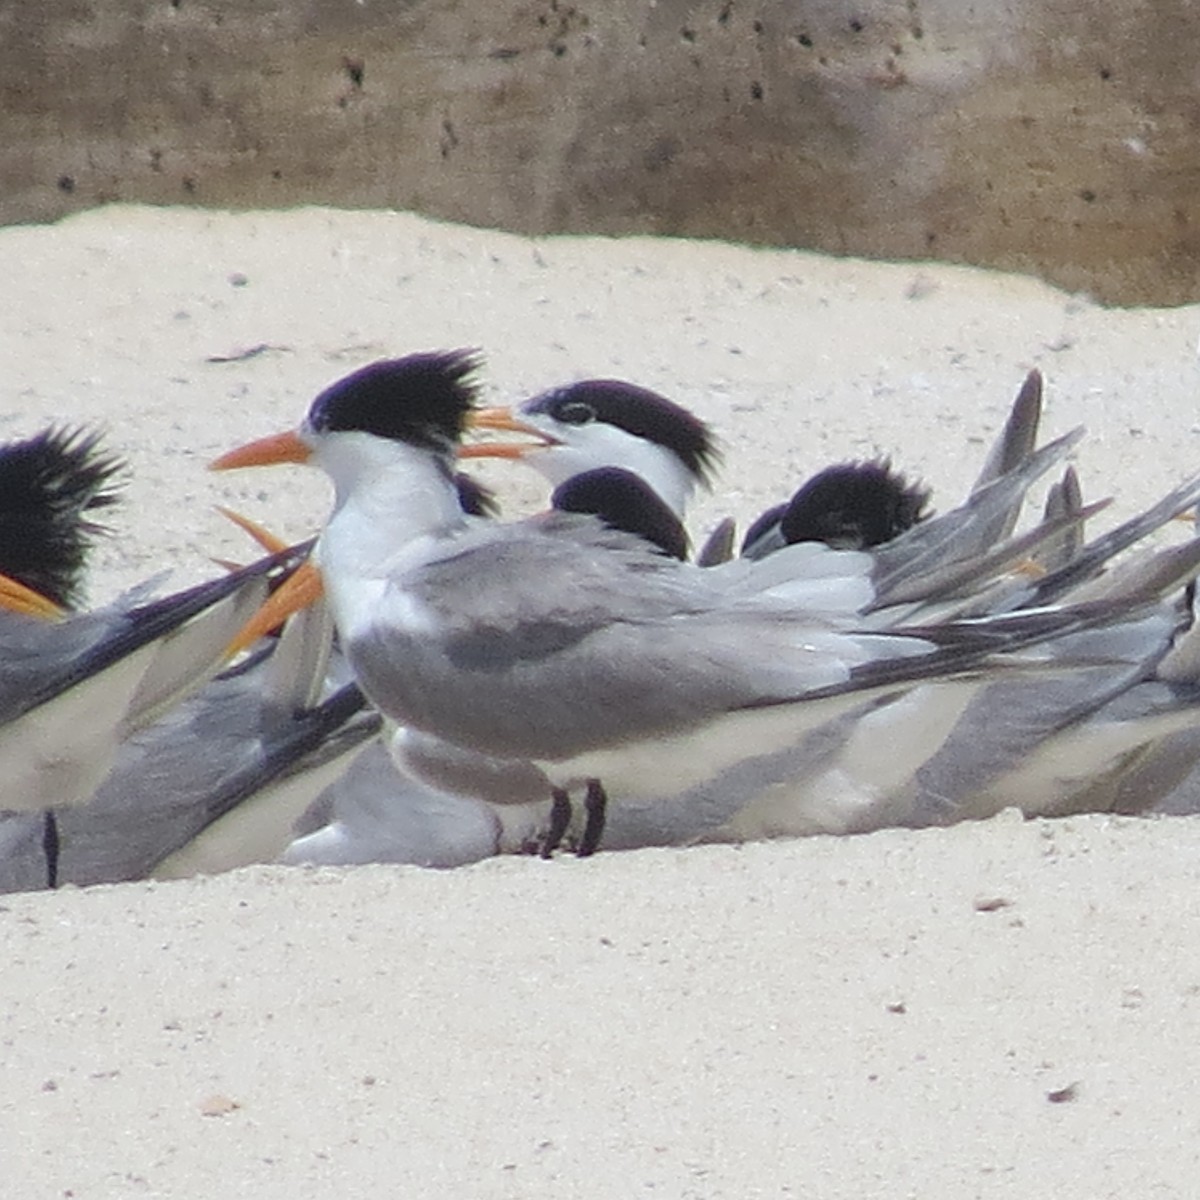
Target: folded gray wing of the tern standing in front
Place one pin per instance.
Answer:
(548, 647)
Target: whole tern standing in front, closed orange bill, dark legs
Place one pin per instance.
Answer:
(565, 645)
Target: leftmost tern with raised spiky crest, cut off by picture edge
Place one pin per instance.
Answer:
(74, 686)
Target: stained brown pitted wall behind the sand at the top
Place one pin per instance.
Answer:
(1051, 136)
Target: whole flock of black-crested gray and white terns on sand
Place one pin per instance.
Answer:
(427, 683)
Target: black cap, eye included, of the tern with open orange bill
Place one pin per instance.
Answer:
(638, 411)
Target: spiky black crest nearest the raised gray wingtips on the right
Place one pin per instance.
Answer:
(855, 506)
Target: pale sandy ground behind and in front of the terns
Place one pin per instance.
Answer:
(1000, 1010)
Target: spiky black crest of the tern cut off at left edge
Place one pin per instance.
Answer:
(49, 485)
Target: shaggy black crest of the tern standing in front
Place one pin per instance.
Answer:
(422, 399)
